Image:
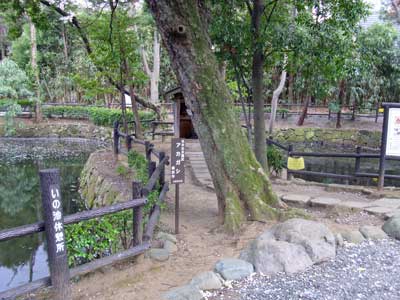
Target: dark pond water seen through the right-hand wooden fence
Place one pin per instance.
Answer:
(344, 166)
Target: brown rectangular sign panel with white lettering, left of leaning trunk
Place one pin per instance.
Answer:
(177, 161)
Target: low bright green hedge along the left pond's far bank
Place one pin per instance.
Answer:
(98, 115)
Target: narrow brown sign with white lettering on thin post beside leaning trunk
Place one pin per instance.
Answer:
(177, 172)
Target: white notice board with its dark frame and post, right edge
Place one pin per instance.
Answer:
(390, 145)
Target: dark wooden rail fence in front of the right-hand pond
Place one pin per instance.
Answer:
(358, 155)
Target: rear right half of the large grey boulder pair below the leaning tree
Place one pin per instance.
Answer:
(316, 238)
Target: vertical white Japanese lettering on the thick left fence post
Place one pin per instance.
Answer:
(58, 225)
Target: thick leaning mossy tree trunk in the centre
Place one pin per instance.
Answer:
(242, 186)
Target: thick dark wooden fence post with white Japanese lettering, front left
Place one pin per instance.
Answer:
(54, 227)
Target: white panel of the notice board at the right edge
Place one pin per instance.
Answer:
(393, 134)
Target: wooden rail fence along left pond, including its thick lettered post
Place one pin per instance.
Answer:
(60, 274)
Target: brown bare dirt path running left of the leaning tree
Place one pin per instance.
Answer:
(201, 243)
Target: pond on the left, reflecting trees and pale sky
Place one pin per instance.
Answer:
(25, 259)
